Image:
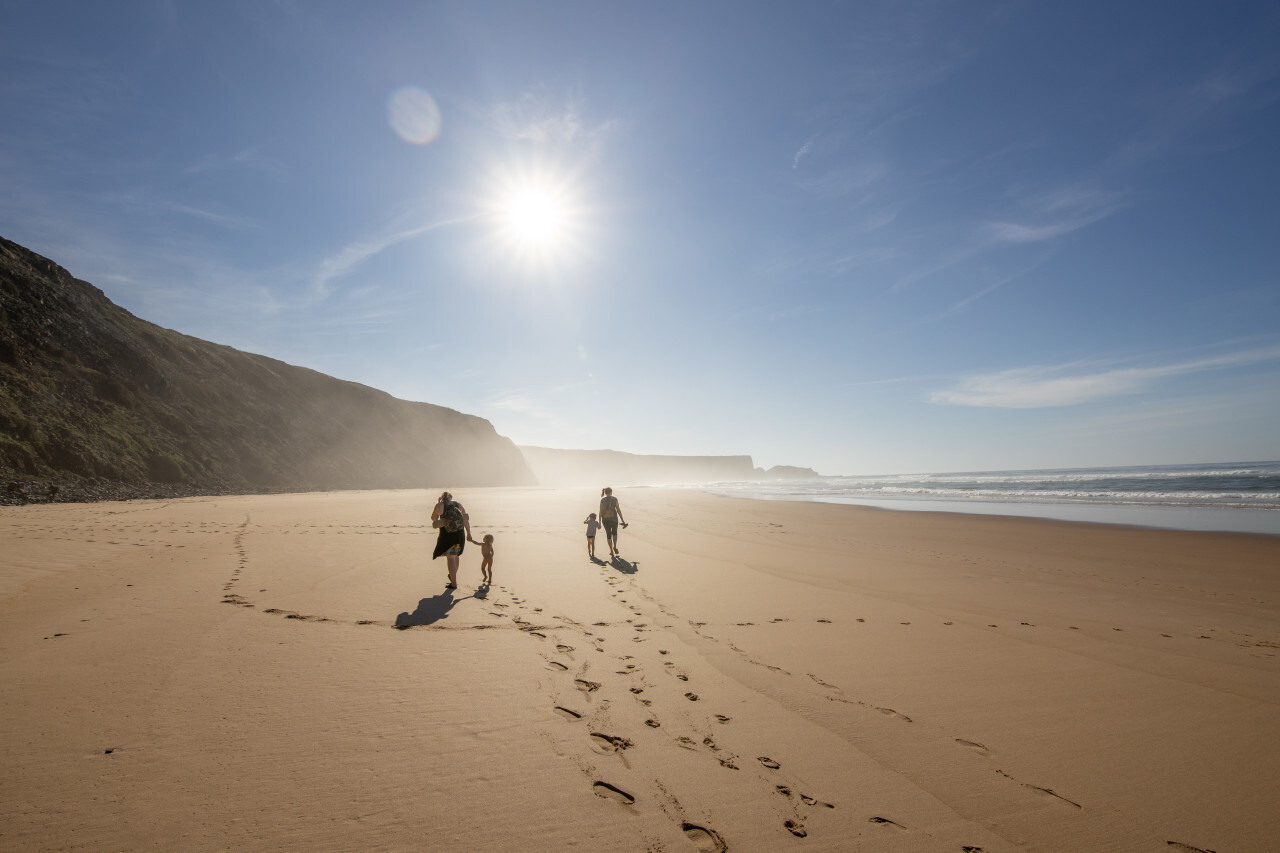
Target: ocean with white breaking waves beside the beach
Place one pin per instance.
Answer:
(1242, 498)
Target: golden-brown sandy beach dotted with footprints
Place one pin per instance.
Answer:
(289, 673)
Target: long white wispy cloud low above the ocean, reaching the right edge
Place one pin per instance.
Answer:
(1073, 385)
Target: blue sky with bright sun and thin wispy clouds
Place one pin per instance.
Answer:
(865, 238)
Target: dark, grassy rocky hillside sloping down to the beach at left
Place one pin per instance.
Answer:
(93, 395)
